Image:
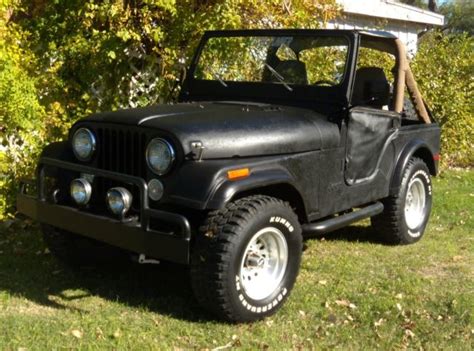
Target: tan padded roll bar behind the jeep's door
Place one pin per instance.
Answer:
(404, 77)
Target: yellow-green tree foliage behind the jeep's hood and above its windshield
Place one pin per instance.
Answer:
(113, 54)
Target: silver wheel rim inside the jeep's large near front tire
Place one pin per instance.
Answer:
(264, 263)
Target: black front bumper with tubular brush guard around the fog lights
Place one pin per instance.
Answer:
(132, 236)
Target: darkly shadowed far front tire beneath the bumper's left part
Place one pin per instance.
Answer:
(78, 251)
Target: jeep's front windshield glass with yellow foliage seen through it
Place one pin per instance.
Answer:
(285, 60)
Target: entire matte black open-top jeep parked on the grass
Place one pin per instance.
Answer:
(277, 135)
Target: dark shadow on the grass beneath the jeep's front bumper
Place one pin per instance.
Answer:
(27, 271)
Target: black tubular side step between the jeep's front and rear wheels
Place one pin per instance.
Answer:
(341, 221)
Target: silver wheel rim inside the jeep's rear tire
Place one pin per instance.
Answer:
(415, 203)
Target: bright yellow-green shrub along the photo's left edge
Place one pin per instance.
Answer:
(22, 130)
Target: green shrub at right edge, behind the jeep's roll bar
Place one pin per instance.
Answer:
(444, 69)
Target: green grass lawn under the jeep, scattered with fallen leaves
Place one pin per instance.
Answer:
(352, 293)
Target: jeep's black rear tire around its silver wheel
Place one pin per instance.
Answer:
(392, 224)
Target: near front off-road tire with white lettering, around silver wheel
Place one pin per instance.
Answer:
(220, 252)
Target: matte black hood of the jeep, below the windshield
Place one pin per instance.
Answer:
(233, 129)
